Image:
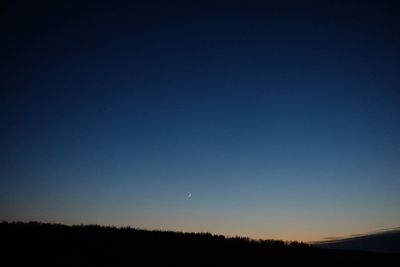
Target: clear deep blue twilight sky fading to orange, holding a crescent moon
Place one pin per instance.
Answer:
(267, 119)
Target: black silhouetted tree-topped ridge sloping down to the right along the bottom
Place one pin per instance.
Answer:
(38, 244)
